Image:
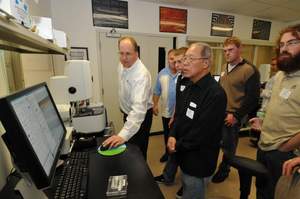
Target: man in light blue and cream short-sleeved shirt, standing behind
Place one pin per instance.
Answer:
(164, 91)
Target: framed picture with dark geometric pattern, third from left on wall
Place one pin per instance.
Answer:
(221, 25)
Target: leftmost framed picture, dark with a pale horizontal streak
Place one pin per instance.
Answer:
(110, 13)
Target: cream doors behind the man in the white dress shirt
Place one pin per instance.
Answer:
(149, 54)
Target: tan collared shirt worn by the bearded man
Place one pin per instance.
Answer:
(282, 118)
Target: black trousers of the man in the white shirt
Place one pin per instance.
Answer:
(141, 138)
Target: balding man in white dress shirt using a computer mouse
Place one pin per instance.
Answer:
(135, 98)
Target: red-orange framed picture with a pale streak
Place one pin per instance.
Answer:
(172, 20)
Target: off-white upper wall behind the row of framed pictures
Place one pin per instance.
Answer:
(75, 18)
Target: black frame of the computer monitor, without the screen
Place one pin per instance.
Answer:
(21, 147)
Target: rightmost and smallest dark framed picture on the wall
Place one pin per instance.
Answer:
(261, 29)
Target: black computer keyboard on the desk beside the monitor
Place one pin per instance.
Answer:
(73, 179)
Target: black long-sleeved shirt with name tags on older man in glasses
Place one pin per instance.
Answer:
(199, 117)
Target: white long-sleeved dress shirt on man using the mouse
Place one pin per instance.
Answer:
(135, 96)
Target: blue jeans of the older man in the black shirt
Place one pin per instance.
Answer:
(193, 187)
